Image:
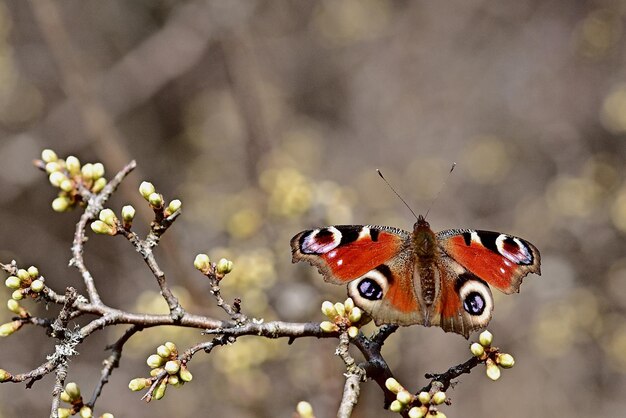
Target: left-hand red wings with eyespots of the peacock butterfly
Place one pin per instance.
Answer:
(375, 262)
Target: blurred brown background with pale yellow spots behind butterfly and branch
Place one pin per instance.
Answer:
(269, 117)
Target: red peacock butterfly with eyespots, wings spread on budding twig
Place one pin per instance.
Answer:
(420, 277)
